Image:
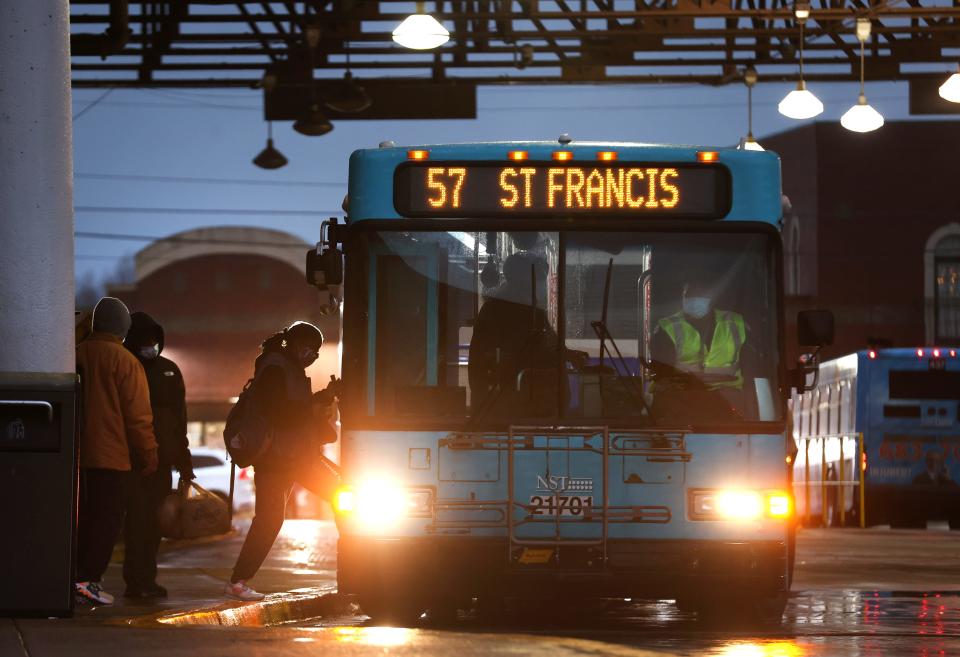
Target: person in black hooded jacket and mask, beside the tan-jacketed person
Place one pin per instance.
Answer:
(145, 493)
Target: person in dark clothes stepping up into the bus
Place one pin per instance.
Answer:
(282, 394)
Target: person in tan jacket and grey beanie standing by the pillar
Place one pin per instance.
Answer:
(116, 436)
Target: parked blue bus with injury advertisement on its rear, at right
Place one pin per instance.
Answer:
(891, 419)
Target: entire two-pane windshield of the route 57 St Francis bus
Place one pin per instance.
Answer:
(624, 328)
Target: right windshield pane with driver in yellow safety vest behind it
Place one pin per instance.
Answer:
(693, 376)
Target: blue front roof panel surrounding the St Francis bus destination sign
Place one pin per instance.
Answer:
(755, 175)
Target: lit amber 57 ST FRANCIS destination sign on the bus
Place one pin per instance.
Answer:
(485, 189)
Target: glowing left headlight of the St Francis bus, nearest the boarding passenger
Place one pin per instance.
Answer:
(379, 503)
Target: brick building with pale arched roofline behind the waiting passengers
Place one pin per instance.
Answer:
(219, 292)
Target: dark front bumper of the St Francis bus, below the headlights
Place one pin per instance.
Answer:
(653, 569)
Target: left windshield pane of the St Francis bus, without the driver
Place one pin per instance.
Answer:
(443, 339)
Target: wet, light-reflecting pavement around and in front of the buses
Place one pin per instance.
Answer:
(856, 592)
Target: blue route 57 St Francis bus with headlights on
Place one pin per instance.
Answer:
(509, 433)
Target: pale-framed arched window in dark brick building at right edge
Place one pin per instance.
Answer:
(942, 260)
